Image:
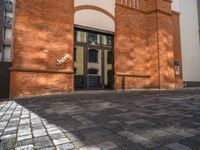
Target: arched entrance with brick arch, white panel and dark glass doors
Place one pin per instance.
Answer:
(94, 48)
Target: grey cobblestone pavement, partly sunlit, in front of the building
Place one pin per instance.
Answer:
(167, 120)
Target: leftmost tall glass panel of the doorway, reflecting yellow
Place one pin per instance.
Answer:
(79, 67)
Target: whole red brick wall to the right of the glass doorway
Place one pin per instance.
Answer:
(144, 50)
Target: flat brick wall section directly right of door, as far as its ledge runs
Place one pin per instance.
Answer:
(131, 49)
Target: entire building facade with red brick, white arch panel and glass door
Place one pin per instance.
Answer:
(62, 46)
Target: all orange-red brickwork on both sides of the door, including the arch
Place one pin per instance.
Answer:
(144, 46)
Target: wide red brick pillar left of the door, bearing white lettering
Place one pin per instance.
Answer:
(42, 48)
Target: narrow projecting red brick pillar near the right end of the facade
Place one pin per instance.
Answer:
(165, 44)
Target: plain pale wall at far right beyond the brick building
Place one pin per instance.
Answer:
(190, 40)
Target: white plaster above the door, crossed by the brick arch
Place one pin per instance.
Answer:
(95, 19)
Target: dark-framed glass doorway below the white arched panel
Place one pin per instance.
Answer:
(93, 60)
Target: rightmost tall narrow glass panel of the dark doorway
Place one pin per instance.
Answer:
(108, 68)
